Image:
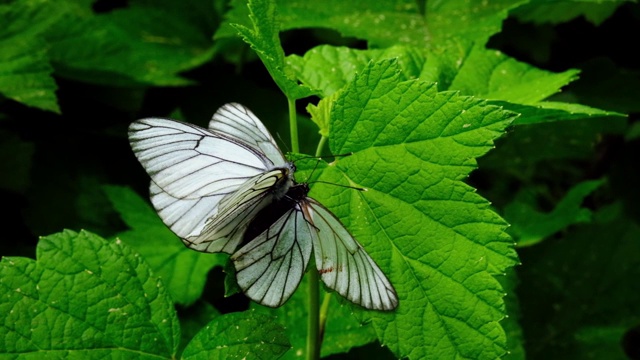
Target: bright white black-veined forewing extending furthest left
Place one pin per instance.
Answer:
(188, 162)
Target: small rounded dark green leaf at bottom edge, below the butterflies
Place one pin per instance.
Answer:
(239, 335)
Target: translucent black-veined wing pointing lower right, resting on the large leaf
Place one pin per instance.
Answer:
(344, 265)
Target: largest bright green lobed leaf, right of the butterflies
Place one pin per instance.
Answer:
(436, 239)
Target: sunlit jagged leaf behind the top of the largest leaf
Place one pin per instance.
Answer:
(329, 69)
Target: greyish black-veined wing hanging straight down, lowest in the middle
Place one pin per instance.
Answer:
(270, 267)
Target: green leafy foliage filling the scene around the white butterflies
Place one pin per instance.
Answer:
(497, 154)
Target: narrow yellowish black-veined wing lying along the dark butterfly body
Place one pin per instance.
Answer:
(224, 229)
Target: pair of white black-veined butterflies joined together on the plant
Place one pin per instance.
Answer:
(230, 189)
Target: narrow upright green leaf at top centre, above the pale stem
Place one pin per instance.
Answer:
(263, 36)
